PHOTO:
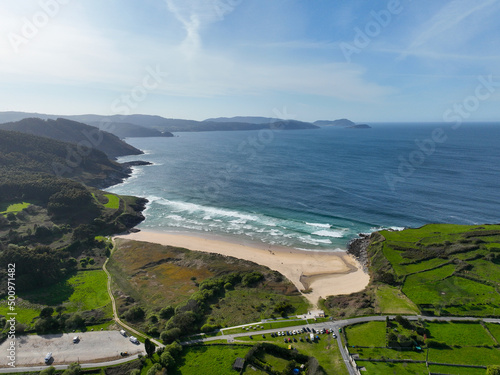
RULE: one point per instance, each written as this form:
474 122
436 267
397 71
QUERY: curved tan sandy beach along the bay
326 273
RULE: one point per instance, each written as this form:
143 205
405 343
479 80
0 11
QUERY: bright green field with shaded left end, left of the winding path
86 290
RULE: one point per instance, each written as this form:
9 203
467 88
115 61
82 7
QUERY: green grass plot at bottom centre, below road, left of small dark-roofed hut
210 360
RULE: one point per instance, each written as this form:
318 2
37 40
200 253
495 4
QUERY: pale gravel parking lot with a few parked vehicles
90 347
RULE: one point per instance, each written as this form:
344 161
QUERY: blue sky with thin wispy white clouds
369 61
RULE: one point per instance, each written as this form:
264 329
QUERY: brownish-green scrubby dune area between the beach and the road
173 292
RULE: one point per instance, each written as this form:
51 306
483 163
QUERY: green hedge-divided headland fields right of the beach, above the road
444 269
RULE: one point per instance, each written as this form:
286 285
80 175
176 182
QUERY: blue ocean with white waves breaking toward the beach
317 189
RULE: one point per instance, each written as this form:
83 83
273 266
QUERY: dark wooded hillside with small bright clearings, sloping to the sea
49 220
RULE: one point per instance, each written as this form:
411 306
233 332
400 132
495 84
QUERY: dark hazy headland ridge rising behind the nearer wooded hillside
85 136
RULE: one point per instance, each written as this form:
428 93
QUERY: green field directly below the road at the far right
461 334
